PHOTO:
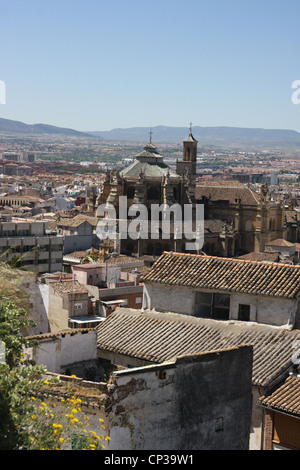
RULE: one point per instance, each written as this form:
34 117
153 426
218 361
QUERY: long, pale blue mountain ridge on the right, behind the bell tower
216 136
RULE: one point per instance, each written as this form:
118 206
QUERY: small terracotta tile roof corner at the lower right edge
285 398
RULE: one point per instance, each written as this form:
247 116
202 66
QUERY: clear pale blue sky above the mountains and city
97 65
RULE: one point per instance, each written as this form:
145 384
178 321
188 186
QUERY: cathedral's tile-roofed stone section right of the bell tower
252 217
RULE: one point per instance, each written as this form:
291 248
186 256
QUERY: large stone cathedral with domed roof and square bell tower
238 219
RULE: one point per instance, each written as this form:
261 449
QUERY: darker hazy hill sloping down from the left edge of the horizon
16 127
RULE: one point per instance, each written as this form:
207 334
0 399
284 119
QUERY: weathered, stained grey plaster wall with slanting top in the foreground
197 402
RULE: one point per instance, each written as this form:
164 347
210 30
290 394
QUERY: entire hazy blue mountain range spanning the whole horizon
233 137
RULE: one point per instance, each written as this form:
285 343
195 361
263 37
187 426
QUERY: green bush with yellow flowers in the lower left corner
26 421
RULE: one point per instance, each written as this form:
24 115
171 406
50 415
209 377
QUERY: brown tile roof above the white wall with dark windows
225 274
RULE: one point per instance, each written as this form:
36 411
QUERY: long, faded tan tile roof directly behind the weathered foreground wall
158 337
